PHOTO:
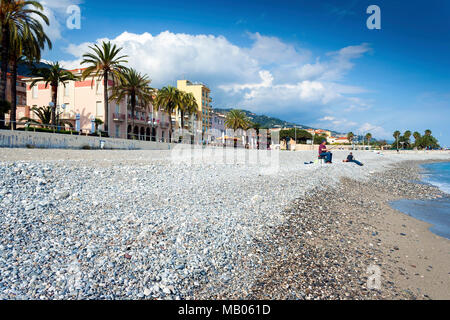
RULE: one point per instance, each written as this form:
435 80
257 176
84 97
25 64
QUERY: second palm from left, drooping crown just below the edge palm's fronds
25 48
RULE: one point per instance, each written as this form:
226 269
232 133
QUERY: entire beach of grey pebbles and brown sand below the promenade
104 224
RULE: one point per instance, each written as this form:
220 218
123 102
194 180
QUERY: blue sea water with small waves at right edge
437 211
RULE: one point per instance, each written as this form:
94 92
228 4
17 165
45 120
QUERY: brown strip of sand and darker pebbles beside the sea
332 263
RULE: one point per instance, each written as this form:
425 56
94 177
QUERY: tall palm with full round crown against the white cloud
104 62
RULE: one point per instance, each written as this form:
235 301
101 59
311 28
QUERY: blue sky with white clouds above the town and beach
311 62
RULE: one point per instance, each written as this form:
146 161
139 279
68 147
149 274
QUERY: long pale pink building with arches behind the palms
80 102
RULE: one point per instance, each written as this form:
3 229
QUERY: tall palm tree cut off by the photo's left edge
17 19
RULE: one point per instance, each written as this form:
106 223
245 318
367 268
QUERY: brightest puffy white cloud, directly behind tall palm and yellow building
167 57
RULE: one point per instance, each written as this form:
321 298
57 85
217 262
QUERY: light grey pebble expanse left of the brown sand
122 228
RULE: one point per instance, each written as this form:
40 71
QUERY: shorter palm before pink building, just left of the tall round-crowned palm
53 76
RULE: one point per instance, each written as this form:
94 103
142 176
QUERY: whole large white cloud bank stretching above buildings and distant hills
269 75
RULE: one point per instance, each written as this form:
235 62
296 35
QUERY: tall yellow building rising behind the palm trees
202 95
